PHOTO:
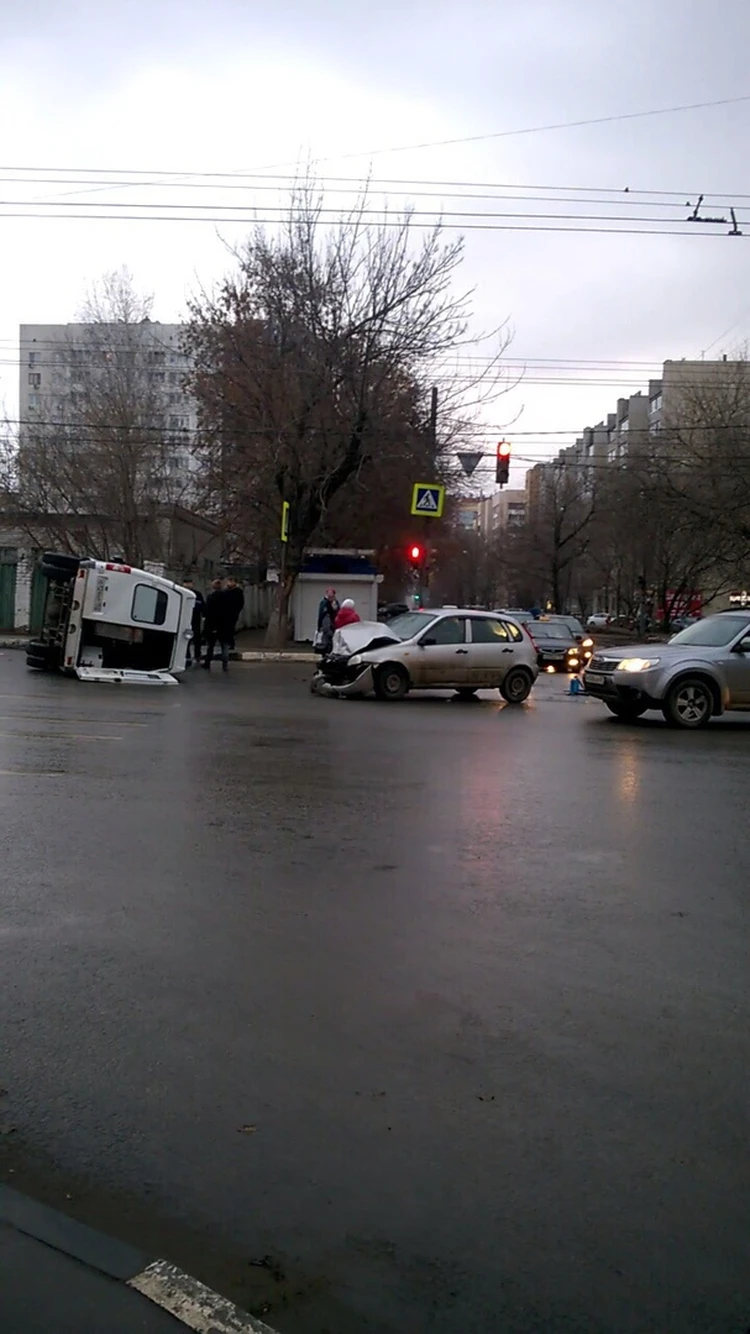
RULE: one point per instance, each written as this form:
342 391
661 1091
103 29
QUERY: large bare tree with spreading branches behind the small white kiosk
313 372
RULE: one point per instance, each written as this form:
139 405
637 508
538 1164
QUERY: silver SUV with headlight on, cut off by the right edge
699 674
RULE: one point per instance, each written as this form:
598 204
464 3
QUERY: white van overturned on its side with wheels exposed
111 622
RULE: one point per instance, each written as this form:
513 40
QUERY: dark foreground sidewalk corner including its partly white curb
58 1275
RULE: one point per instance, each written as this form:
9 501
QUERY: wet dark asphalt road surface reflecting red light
473 980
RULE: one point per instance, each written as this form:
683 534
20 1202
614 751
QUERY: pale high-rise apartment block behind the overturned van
65 368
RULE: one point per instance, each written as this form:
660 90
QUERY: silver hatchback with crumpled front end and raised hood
449 649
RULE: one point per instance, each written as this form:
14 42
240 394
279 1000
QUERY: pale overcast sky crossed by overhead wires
236 86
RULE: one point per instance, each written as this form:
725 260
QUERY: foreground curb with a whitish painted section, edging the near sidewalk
189 1301
